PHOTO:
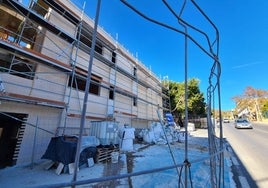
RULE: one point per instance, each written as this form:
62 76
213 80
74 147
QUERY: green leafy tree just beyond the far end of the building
196 101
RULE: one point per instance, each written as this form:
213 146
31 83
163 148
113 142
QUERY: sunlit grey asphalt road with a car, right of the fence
251 147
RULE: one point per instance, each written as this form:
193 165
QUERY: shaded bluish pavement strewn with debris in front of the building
142 159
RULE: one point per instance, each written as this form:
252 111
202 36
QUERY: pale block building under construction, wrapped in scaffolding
45 52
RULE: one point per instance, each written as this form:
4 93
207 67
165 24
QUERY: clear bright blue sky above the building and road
242 25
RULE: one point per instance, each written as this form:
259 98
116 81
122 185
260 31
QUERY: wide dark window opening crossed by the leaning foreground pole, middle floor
79 83
